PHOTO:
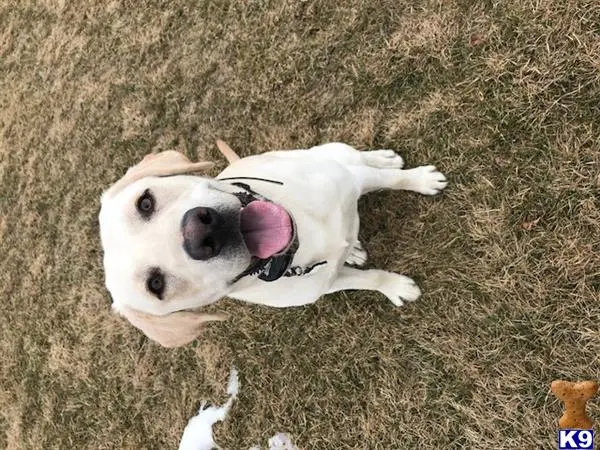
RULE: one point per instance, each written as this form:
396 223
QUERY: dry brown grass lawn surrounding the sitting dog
502 96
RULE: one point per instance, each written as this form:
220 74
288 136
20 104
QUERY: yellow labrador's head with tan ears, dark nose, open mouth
174 241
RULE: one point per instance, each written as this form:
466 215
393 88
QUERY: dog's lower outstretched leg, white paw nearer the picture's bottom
398 288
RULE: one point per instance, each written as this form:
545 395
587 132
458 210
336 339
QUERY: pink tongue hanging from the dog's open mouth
266 227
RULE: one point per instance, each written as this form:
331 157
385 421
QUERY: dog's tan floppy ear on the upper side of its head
161 164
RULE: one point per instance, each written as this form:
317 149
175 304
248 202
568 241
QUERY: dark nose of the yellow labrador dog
200 229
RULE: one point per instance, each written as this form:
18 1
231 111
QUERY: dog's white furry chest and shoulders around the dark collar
323 204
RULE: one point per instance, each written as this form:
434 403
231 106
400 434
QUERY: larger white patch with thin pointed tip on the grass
198 433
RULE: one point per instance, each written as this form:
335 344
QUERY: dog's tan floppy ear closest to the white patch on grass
173 330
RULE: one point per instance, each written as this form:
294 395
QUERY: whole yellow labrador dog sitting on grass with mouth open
278 229
